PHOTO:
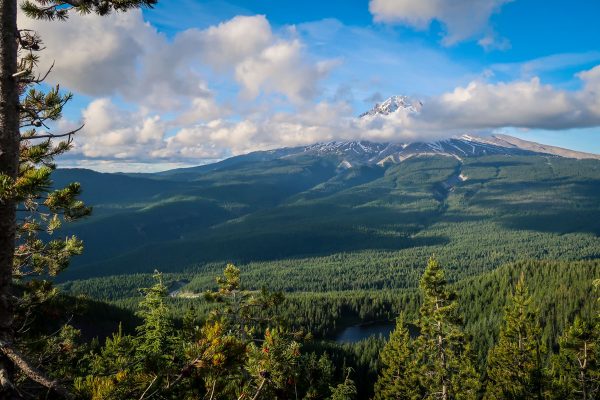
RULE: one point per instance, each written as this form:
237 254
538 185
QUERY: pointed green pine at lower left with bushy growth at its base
147 364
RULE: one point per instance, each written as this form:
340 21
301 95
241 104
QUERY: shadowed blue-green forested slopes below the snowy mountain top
309 211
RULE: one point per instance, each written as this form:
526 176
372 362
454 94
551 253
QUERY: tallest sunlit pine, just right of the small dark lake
445 365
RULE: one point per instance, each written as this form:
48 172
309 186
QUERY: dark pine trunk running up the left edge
9 156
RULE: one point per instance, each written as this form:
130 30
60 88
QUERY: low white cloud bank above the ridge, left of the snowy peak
111 133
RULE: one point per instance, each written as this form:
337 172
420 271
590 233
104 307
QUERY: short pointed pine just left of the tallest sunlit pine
398 378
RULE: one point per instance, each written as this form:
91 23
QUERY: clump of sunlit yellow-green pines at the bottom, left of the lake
238 352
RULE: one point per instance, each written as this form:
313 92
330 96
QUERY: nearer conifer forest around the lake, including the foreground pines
532 324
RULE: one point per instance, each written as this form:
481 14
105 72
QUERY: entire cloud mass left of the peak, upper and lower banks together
155 76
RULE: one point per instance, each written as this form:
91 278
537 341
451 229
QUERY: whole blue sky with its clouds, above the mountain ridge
193 81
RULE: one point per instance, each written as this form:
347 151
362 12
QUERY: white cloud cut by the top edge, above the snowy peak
463 19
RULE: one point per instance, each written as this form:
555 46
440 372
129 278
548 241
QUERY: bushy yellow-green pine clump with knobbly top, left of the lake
240 353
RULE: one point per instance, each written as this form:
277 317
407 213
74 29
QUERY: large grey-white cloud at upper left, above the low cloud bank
127 56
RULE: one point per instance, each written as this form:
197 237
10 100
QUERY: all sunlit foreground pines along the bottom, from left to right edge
241 348
